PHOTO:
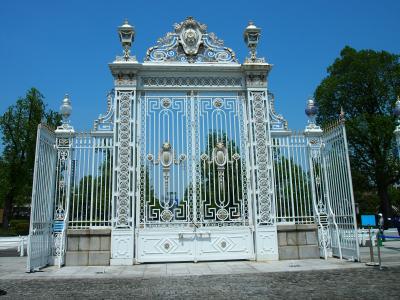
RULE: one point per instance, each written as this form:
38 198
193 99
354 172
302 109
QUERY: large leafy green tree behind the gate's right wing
365 83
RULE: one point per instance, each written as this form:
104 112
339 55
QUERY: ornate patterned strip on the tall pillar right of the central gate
264 170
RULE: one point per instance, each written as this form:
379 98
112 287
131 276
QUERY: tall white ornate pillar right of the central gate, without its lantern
266 240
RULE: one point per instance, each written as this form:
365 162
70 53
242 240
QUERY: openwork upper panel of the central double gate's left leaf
166 187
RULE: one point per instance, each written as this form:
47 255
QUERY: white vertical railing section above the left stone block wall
90 180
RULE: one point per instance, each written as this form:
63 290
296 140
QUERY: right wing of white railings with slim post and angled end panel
313 185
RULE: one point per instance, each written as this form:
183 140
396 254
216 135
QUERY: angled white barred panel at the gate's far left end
43 188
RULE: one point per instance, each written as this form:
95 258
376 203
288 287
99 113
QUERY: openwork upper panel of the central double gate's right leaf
221 162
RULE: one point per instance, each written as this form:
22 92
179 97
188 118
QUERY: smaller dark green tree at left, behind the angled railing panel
18 126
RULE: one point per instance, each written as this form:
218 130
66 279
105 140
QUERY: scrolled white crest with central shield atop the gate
190 43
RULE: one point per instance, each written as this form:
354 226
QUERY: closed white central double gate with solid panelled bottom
193 179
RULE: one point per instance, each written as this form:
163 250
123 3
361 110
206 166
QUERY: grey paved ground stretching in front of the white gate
314 278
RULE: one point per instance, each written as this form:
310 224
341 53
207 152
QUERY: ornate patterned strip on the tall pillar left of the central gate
124 157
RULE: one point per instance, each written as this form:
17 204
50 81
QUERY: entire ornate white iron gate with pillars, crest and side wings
190 163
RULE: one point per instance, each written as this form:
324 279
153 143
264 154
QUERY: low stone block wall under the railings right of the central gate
298 241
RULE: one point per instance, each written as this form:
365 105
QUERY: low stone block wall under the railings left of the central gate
88 247
